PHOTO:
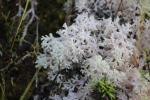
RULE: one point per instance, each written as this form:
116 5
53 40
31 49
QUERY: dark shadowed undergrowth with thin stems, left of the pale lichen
18 53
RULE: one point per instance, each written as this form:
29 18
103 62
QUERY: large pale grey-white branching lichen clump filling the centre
99 47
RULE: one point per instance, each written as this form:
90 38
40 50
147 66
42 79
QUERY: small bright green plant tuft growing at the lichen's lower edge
106 89
